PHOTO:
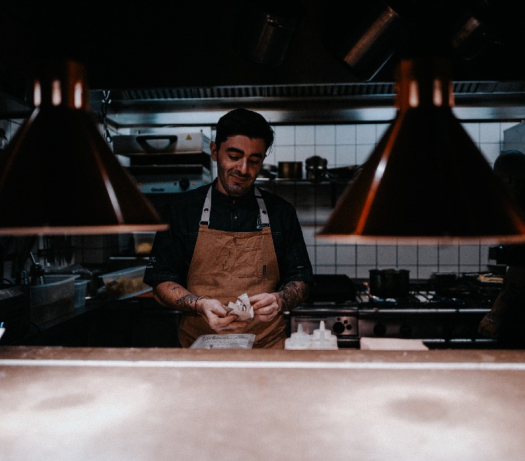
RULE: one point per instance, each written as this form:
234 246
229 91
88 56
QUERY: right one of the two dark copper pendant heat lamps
426 181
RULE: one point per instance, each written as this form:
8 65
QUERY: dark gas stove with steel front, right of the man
441 315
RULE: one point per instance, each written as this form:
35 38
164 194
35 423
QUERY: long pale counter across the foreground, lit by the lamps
170 404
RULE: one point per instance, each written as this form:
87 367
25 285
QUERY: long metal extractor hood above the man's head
299 104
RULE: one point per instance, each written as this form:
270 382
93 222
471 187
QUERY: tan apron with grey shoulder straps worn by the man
227 264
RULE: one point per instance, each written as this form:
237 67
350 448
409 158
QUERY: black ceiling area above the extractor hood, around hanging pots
196 43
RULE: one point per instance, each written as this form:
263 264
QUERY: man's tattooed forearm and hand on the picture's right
268 305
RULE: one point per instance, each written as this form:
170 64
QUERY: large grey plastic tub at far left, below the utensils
52 299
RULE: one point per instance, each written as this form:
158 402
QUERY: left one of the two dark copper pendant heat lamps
59 176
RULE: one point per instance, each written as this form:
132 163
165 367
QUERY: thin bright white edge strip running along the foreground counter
509 366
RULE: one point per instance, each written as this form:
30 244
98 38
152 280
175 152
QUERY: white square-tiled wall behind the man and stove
344 145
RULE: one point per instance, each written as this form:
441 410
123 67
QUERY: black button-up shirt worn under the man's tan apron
172 250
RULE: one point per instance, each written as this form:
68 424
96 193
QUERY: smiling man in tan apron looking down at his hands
231 238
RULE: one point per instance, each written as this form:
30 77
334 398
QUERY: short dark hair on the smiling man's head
244 122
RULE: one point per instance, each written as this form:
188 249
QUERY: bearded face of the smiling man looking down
239 161
